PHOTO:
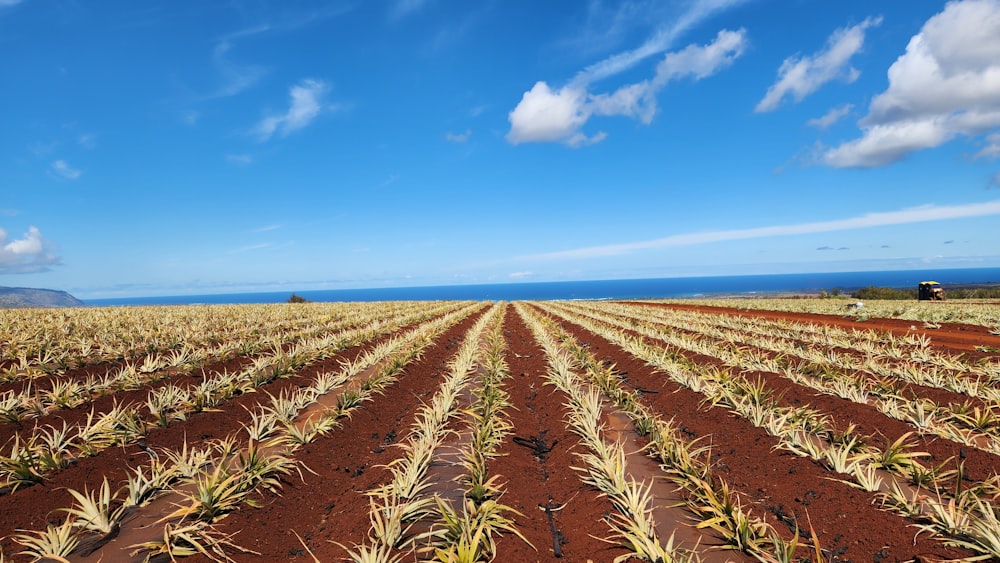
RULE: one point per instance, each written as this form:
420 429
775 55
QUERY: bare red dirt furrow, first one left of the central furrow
328 504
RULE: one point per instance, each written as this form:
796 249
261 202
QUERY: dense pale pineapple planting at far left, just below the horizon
36 342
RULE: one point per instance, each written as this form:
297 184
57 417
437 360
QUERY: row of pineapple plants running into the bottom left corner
205 483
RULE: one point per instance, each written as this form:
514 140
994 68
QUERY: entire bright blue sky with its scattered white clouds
186 147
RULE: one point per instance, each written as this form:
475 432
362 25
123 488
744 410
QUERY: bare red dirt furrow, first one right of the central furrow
780 485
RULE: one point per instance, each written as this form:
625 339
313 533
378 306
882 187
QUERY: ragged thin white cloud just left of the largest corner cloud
799 77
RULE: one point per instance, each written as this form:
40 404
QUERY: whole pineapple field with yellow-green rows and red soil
726 430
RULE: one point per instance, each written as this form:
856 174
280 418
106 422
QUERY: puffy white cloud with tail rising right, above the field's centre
547 115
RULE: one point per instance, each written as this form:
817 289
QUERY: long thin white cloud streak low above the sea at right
905 216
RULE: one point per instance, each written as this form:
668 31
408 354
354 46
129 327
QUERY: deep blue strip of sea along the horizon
598 289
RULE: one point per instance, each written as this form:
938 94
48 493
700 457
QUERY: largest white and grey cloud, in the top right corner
946 85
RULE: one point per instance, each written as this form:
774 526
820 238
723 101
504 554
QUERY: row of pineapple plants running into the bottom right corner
959 513
